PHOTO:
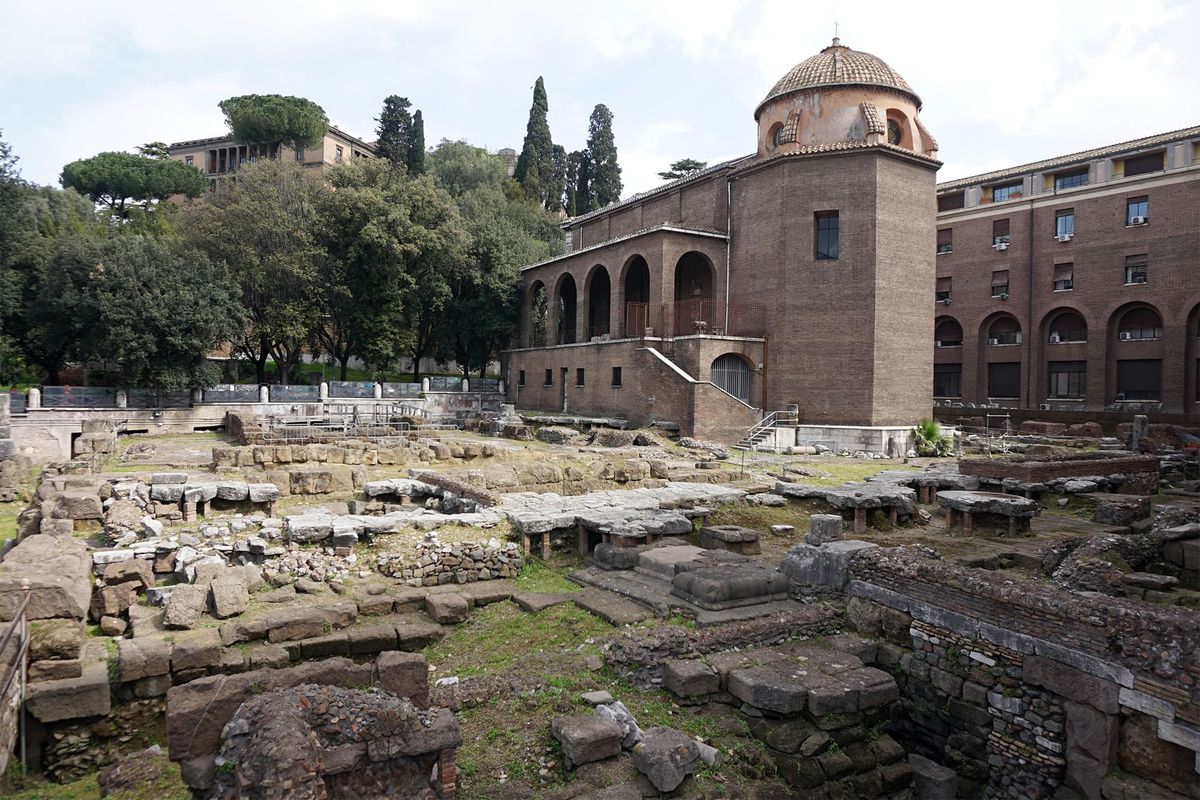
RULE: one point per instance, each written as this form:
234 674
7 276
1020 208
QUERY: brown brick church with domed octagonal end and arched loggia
796 276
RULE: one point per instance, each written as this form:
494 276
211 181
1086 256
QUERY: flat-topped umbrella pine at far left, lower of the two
121 181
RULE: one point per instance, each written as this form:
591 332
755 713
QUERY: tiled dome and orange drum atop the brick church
841 97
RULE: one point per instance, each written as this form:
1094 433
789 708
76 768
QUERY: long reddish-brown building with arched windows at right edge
1072 284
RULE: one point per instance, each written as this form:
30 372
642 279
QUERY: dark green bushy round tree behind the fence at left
159 310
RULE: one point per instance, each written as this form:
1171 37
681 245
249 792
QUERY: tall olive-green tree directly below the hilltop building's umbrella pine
262 227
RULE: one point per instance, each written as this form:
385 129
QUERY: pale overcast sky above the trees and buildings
1003 83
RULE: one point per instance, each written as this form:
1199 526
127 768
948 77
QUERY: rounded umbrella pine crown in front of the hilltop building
275 121
